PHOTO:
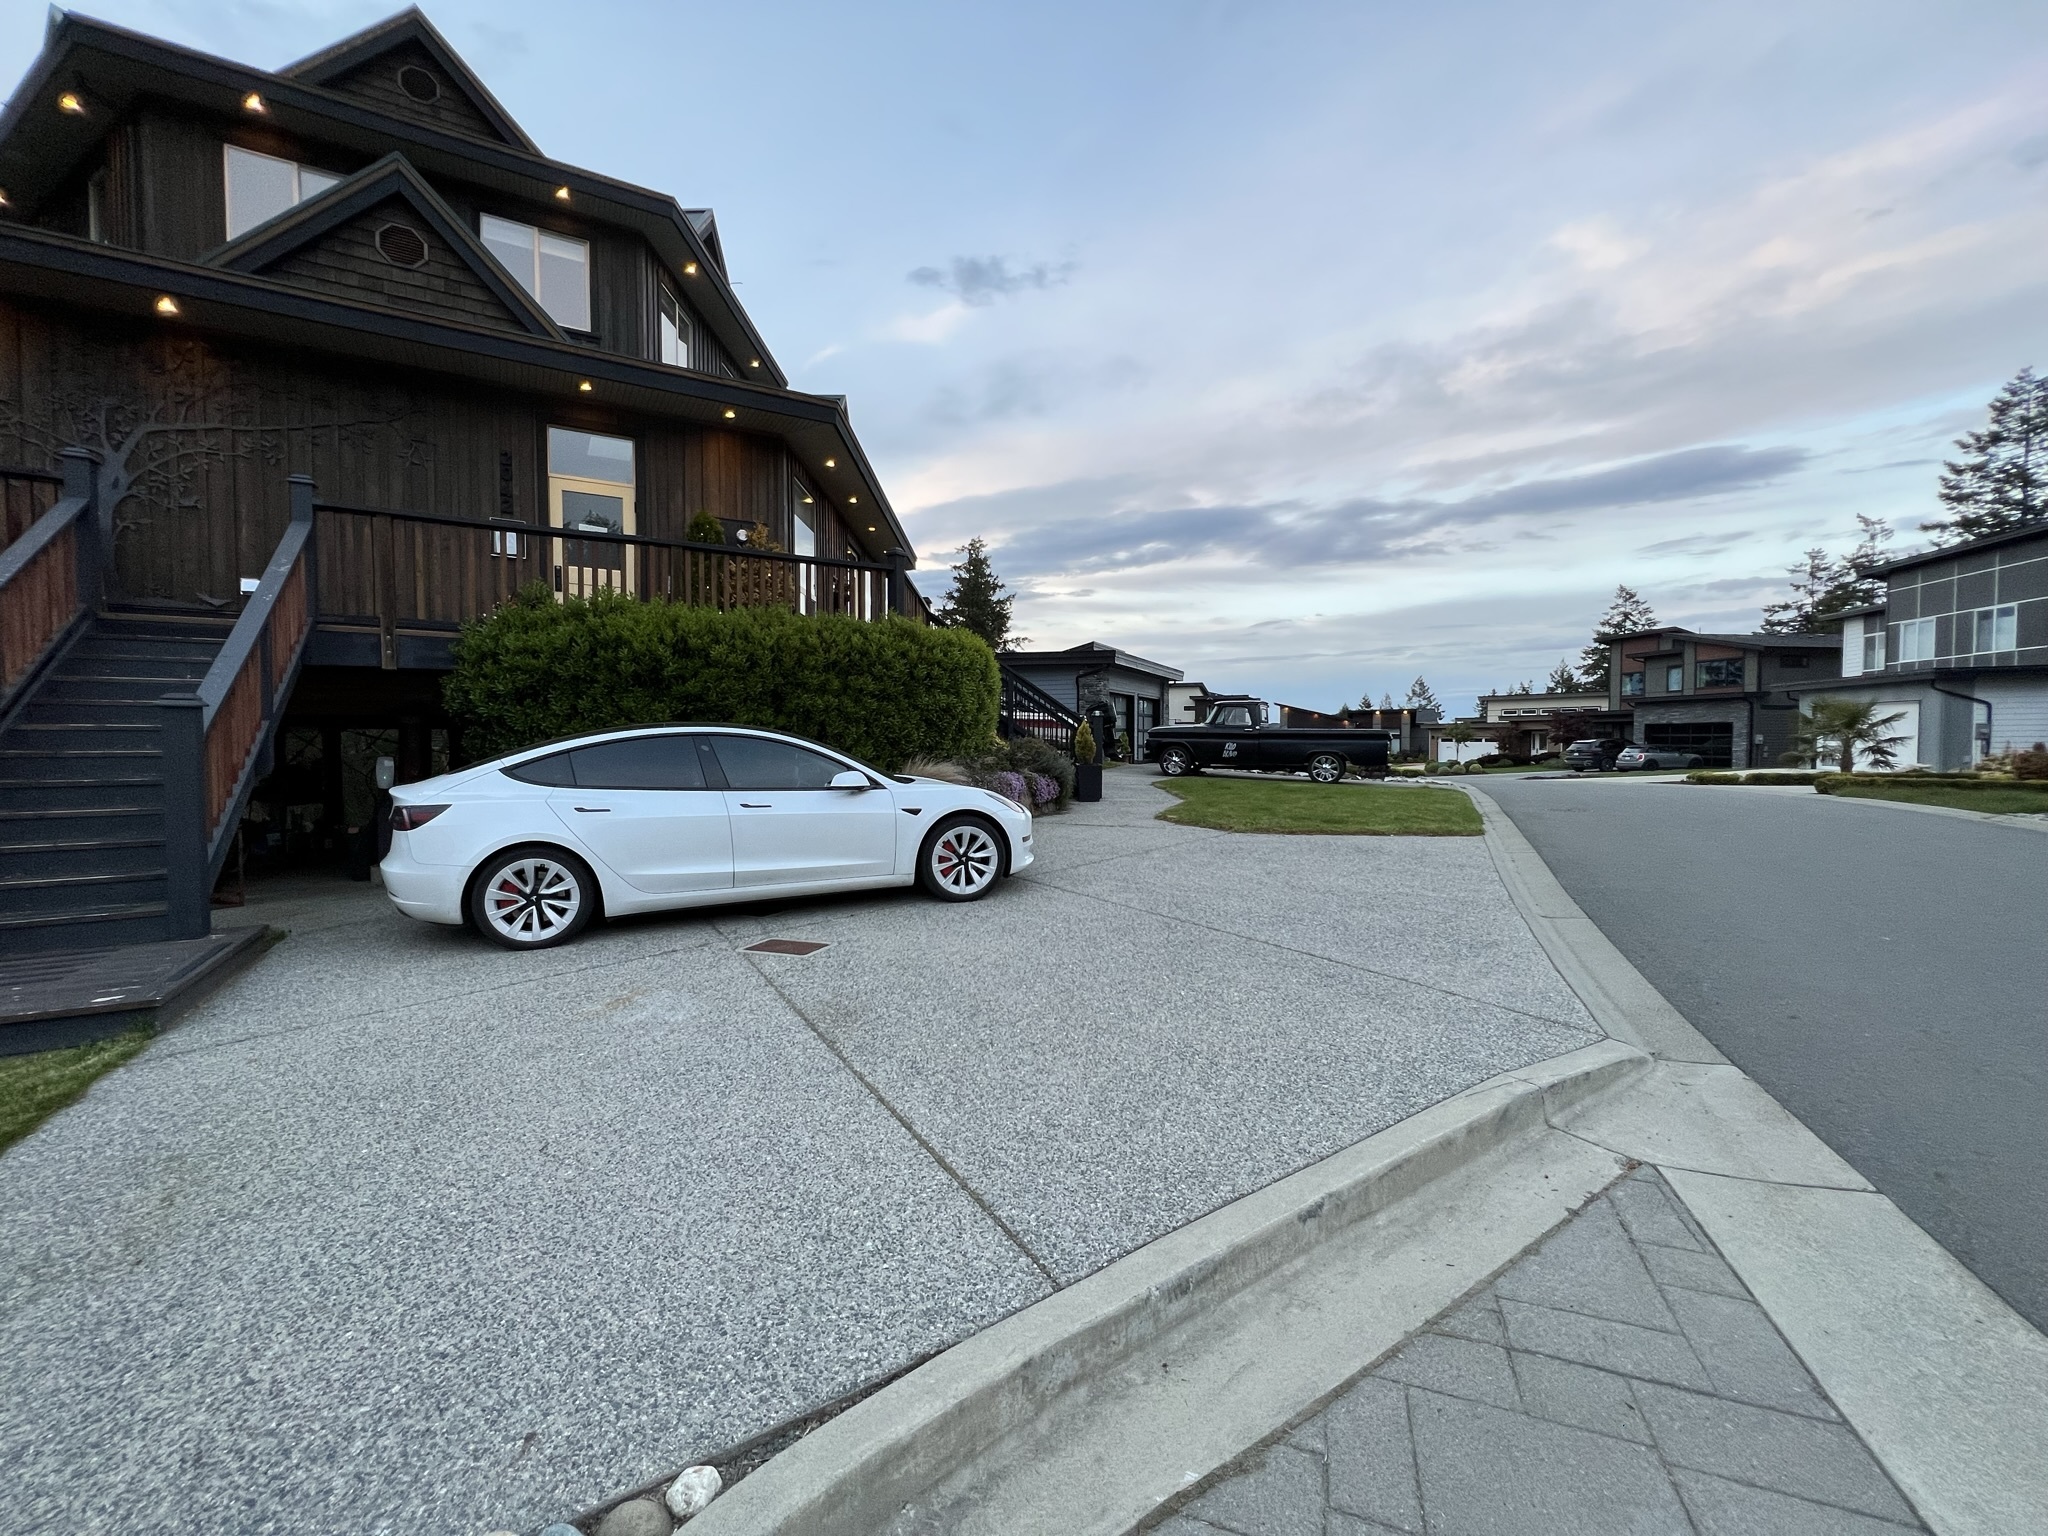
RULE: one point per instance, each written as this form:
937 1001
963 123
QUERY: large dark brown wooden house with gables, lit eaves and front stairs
298 372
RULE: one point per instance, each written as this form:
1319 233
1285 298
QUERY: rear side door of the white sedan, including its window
648 808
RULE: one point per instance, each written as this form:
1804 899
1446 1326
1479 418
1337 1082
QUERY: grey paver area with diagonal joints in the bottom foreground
1617 1379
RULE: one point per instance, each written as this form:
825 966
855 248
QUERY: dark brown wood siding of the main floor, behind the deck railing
212 437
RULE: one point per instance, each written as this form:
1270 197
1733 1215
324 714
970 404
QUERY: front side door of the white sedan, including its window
792 828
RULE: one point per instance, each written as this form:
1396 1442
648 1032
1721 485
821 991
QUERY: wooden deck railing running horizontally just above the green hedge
396 568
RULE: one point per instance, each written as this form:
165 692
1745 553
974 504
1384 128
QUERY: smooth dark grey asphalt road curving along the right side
1881 972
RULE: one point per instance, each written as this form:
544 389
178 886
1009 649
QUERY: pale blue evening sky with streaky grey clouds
1320 347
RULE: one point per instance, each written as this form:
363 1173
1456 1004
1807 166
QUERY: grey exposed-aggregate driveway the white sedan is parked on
402 1234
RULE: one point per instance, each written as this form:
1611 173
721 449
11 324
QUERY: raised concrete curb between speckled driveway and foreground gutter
861 1471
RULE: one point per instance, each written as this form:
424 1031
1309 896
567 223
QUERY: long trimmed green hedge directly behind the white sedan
880 691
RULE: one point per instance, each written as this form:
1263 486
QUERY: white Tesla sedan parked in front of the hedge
531 847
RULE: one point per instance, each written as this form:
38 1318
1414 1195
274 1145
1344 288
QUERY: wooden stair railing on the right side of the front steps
218 740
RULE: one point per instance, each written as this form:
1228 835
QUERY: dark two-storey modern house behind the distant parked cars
1727 697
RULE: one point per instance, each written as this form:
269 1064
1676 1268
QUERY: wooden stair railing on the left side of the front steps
50 579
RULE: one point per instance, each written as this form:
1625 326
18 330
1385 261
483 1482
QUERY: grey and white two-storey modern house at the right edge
1959 650
